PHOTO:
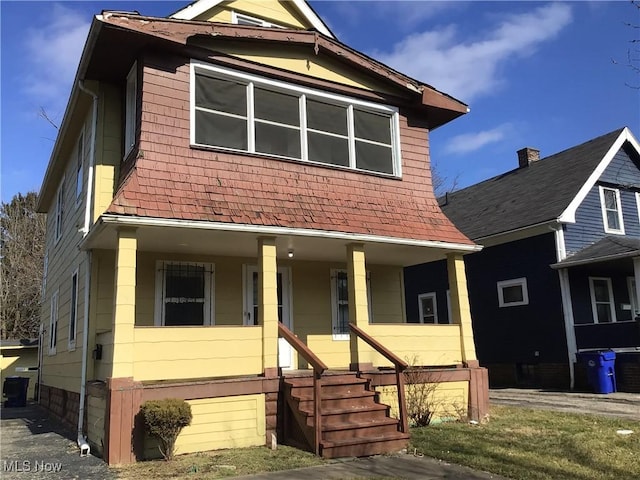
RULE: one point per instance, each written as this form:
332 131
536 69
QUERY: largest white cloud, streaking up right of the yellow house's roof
468 69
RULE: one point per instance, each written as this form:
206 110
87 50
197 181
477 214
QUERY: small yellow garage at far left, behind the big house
19 358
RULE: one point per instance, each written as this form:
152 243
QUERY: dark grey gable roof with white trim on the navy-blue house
547 190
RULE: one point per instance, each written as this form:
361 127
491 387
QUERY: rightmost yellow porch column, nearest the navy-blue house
460 310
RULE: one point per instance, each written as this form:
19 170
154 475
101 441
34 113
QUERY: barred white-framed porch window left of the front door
184 294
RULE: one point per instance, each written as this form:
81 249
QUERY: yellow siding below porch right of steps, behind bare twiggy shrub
449 400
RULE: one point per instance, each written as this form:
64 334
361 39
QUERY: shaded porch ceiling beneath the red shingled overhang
314 247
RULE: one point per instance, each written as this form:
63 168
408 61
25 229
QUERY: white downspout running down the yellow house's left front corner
83 444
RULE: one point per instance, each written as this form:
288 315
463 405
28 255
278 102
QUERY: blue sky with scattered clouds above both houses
534 74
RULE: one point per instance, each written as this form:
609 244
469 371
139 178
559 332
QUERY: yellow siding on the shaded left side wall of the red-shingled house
62 369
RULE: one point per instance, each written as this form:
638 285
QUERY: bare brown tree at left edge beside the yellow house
22 245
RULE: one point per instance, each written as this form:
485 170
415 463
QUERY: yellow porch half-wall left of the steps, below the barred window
163 353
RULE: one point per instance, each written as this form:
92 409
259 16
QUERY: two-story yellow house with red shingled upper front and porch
231 201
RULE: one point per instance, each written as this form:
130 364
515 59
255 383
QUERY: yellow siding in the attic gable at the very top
279 13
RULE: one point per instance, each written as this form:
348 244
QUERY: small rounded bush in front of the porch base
165 419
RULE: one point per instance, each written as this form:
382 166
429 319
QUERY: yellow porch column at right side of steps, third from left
357 294
